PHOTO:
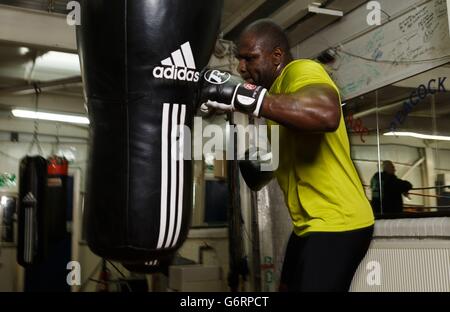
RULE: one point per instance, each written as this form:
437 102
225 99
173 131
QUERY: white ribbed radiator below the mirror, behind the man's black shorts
405 265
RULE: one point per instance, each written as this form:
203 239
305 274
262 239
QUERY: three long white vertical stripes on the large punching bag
171 201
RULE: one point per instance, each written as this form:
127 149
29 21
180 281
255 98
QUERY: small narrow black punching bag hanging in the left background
32 225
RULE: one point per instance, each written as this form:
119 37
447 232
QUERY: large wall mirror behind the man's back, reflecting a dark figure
400 142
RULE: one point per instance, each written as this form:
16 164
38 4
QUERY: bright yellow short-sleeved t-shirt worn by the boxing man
321 186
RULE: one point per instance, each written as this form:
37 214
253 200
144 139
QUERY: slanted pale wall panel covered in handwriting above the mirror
402 47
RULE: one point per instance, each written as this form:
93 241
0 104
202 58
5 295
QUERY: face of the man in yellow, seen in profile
256 63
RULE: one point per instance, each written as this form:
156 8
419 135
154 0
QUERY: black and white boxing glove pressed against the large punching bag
222 91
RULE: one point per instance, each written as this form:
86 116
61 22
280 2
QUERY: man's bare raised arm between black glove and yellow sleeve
313 108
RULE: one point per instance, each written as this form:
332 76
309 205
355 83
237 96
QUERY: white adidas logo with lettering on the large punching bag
179 66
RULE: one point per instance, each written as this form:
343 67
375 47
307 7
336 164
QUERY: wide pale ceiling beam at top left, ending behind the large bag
25 27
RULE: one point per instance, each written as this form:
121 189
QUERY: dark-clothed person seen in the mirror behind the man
392 188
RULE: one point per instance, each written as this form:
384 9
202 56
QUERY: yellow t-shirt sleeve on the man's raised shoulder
304 73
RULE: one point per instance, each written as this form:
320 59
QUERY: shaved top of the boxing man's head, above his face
270 33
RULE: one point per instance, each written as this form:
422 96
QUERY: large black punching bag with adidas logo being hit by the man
140 64
